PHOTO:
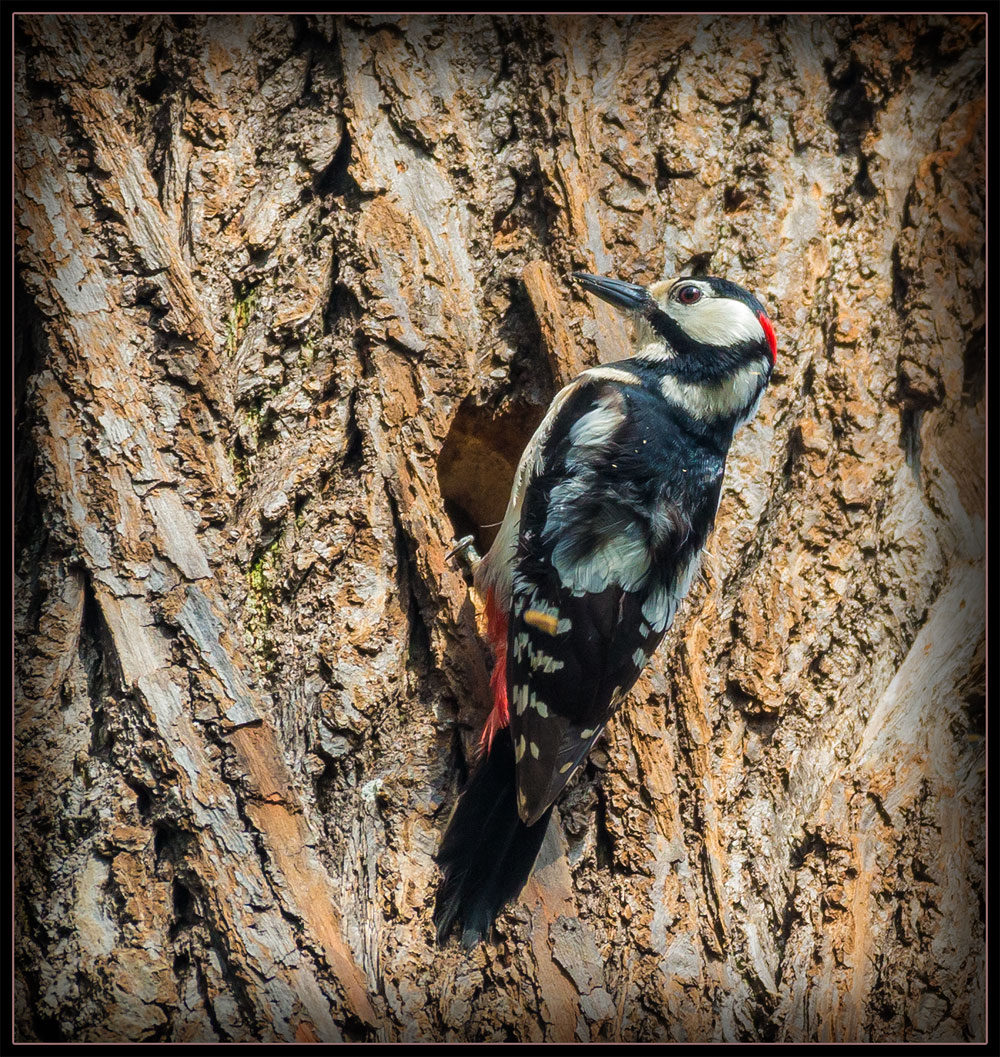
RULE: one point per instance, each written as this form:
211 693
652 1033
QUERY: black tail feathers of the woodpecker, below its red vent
488 854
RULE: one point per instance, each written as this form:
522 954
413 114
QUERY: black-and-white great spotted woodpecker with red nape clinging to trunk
613 503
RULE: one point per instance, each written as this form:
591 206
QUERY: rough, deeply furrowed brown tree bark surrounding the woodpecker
292 298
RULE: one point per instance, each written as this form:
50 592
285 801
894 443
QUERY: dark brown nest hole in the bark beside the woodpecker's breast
477 466
